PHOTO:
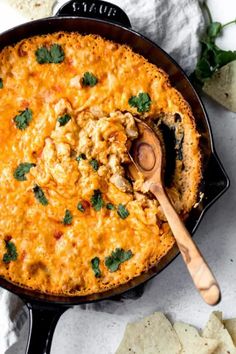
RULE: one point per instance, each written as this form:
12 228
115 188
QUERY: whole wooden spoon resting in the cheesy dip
146 154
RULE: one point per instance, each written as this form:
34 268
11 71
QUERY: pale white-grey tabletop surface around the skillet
172 292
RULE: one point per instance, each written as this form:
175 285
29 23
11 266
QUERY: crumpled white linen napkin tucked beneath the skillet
175 25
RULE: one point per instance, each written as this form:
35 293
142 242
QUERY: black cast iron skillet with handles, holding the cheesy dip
109 21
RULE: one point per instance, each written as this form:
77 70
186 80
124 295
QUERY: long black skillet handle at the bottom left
43 320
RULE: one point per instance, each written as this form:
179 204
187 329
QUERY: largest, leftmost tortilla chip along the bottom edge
152 335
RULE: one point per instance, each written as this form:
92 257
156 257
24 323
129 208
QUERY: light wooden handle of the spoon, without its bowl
199 270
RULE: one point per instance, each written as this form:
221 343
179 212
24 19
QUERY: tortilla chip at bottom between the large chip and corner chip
192 342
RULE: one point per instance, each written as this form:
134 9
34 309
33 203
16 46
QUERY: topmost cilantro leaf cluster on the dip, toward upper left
53 55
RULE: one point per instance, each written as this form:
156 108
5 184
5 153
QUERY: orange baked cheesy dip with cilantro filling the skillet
72 221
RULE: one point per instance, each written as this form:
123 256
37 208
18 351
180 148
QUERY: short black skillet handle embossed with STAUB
101 10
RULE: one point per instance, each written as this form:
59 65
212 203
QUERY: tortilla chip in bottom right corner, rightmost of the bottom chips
216 330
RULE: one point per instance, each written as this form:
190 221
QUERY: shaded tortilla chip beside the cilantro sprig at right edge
222 86
